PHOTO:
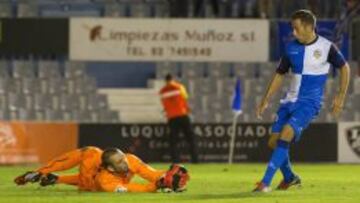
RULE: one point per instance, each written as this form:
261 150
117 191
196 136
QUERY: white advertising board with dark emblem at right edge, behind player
349 142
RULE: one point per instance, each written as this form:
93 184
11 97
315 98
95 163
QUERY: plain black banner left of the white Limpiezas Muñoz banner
34 36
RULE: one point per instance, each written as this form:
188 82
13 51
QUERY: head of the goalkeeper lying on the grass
114 160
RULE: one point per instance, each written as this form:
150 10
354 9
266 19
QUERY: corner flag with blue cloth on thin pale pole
236 107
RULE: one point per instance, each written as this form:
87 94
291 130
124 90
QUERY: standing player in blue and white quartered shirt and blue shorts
308 59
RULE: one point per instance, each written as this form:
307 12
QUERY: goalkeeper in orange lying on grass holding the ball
110 170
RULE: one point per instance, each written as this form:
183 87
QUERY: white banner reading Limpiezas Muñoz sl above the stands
120 39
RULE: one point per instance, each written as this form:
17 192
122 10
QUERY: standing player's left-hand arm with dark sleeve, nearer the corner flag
274 85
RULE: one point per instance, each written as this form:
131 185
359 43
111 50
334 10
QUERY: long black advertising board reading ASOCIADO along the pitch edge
150 141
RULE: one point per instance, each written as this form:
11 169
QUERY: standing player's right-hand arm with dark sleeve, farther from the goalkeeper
337 60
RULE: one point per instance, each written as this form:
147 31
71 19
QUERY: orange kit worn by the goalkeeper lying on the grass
92 177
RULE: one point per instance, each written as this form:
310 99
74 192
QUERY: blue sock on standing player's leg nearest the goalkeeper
279 156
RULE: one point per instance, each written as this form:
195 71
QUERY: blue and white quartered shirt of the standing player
309 65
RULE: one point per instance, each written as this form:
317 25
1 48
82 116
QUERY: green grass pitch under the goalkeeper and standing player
217 183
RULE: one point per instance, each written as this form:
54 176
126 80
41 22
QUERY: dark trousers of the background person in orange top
177 126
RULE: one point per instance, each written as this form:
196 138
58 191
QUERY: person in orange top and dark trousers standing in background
174 100
